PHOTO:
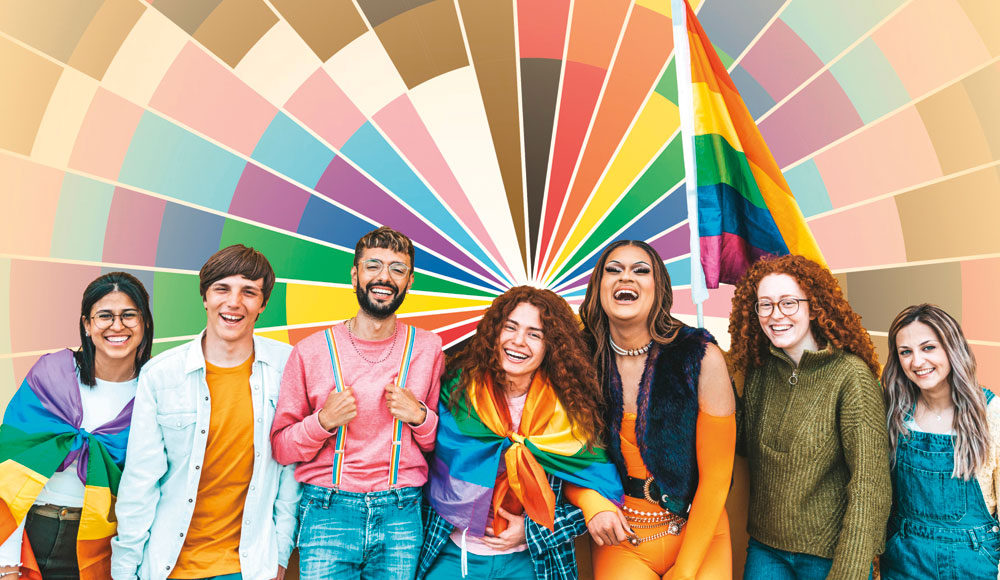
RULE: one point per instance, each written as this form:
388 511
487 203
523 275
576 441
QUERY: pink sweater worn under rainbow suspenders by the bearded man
296 435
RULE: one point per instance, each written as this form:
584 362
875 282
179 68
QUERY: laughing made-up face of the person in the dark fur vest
628 288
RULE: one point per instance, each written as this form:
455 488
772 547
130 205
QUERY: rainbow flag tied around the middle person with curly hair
472 440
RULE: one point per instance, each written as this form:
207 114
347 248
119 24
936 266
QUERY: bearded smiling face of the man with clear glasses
380 290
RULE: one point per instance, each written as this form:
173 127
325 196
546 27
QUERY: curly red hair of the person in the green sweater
833 320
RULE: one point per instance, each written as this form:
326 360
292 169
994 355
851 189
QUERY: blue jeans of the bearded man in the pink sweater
345 535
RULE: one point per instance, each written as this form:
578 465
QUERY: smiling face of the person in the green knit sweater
791 333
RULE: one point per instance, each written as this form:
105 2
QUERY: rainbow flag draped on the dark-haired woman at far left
40 435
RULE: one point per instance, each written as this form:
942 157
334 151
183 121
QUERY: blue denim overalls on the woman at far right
940 527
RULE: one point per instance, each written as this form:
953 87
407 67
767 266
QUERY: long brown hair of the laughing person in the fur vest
662 326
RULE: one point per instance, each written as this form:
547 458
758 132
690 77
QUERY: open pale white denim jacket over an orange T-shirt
166 447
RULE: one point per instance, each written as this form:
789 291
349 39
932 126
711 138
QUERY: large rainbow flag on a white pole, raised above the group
740 207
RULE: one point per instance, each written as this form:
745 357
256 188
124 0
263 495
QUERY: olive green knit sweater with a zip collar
819 458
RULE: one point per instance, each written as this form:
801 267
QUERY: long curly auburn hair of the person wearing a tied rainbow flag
565 363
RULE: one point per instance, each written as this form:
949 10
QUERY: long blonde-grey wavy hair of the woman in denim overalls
969 423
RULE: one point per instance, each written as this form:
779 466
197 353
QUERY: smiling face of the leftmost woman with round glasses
116 342
